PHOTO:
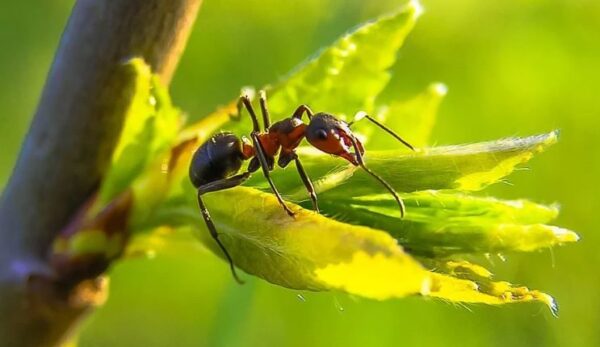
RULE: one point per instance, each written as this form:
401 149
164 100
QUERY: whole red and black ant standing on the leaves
216 163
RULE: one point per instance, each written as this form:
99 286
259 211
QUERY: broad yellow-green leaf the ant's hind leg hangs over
293 253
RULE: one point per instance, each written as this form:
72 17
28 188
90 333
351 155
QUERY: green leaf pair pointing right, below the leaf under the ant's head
440 224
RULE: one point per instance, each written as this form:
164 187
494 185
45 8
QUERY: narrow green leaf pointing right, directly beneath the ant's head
463 167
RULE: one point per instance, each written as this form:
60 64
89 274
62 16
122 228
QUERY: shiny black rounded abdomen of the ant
219 157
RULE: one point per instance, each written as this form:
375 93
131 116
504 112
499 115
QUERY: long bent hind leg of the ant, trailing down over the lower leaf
212 187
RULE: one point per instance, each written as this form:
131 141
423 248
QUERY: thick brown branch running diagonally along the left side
68 149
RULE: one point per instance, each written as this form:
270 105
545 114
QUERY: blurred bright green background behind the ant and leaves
513 67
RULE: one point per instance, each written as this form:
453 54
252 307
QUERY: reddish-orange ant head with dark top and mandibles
333 136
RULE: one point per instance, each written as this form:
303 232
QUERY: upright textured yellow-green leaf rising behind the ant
348 75
